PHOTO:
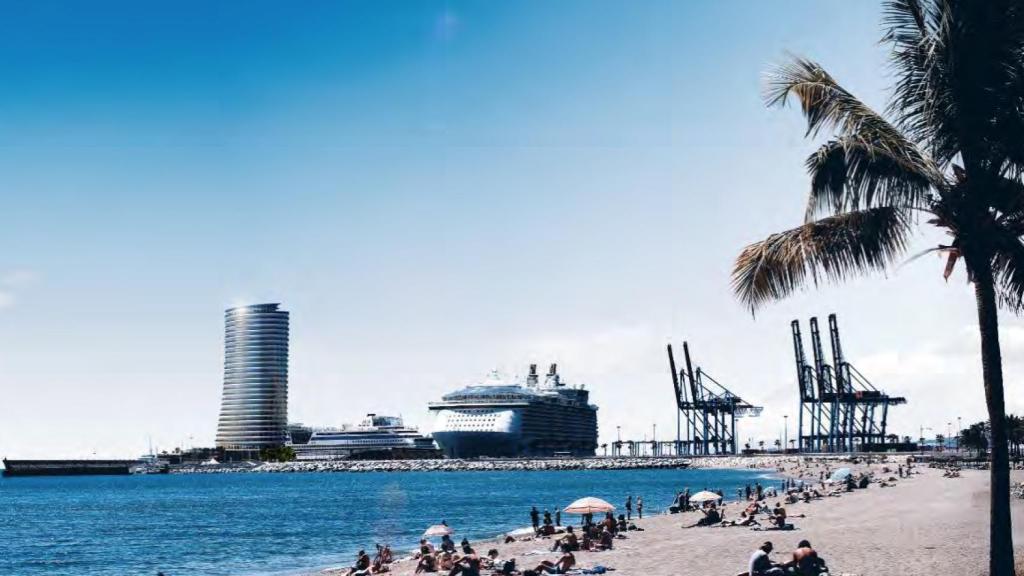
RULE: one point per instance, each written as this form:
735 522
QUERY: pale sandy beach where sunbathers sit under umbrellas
925 525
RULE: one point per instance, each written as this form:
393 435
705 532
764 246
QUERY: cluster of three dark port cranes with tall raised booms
840 409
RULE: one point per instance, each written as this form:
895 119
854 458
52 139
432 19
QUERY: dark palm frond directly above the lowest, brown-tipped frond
852 174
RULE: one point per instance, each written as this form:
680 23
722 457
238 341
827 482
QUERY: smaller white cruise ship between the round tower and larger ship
377 437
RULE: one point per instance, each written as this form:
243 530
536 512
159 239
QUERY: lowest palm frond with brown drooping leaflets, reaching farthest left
832 249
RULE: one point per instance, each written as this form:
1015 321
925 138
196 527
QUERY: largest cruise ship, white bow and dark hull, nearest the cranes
499 419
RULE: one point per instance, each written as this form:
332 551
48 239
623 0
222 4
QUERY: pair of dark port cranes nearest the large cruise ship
709 409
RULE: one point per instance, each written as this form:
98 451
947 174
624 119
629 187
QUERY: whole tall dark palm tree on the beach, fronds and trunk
947 152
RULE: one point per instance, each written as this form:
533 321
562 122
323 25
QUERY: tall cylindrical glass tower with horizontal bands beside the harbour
254 405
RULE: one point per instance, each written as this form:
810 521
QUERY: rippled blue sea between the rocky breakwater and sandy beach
287 523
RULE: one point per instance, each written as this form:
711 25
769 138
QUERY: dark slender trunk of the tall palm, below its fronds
1001 540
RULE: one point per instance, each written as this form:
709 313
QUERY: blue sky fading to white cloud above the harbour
434 190
